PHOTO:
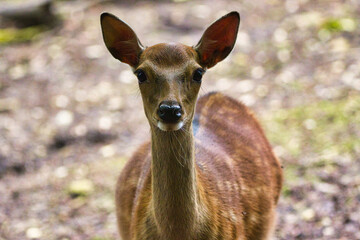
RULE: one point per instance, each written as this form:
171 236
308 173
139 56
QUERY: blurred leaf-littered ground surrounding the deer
71 115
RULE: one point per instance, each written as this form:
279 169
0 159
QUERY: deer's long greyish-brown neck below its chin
174 187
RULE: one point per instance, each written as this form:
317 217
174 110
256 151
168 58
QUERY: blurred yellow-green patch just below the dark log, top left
13 35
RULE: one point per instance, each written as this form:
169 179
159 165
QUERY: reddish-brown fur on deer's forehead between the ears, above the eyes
168 54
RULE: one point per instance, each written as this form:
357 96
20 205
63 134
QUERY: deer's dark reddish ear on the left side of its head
120 39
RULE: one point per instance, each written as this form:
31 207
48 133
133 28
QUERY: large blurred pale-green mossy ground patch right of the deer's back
326 128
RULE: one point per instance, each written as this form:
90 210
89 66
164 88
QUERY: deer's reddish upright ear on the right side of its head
218 40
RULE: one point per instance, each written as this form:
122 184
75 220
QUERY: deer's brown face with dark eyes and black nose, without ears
169 79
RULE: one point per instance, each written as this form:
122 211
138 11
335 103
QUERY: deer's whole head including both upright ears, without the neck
170 75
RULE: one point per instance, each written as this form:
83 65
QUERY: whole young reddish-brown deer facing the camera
208 171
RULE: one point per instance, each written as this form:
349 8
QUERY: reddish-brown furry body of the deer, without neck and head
238 177
